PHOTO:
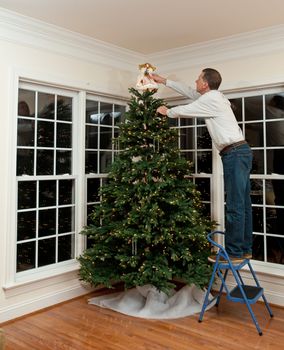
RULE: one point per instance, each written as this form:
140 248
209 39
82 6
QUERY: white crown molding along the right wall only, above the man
250 44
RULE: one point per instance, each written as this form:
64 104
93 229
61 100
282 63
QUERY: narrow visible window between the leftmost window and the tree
102 119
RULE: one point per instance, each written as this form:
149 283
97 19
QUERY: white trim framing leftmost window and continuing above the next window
80 93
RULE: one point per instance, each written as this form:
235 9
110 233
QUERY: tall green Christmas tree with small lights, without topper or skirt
148 228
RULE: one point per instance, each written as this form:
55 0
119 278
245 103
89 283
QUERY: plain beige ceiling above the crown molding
149 26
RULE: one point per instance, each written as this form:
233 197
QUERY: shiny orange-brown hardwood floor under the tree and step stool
77 325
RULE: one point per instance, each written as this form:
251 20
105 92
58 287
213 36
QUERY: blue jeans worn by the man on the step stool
237 165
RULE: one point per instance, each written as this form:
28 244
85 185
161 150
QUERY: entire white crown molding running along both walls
24 30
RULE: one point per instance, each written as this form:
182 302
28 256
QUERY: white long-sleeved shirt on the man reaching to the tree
215 108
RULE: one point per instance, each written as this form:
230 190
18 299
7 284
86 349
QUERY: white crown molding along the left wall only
28 31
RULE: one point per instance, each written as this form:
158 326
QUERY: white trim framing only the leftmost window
13 279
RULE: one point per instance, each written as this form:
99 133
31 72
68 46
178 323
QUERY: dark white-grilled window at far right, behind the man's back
261 116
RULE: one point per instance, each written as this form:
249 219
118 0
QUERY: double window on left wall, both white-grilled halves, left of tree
52 140
